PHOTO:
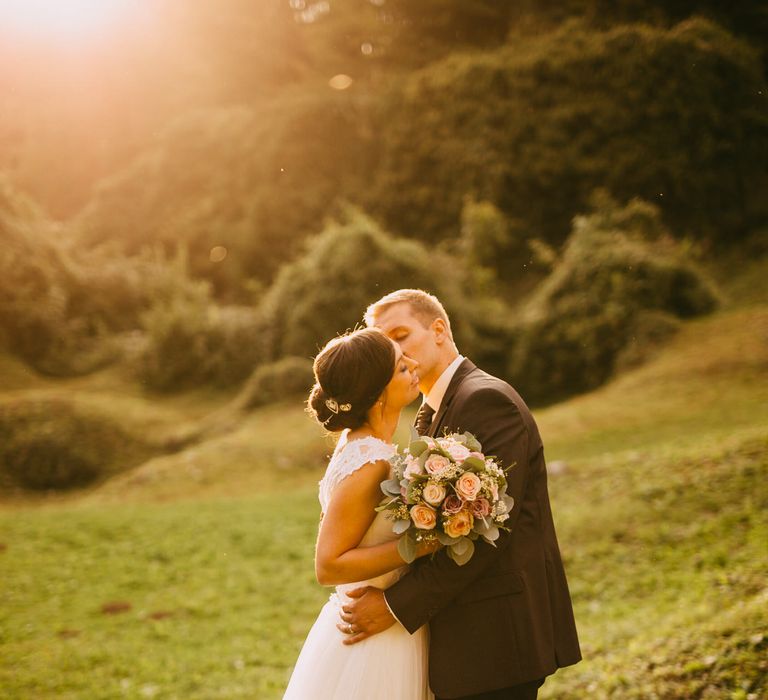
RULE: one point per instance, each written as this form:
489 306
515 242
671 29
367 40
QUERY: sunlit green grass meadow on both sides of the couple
191 576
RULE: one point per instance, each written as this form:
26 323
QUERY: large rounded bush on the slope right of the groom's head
620 277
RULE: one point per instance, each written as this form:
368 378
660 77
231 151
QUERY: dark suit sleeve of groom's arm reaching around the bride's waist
433 583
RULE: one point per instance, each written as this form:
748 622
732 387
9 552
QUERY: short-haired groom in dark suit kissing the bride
503 621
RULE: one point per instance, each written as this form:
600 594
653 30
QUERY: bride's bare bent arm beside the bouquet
339 558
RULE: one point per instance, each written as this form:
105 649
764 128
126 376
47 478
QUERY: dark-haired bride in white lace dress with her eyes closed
363 381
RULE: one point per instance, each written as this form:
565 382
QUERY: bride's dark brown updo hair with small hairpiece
351 372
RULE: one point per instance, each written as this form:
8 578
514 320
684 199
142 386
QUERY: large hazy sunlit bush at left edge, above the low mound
61 308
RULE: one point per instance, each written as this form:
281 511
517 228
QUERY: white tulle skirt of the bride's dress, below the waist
392 664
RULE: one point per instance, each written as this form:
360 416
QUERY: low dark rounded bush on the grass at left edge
55 444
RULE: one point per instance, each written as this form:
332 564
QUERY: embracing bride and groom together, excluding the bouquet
491 629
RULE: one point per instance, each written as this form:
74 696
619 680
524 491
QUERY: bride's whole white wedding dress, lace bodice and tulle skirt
392 664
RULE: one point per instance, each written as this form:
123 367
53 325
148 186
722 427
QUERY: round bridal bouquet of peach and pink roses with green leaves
446 489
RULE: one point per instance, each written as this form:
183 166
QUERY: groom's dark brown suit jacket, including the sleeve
505 617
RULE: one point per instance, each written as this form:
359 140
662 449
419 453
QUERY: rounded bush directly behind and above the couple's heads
345 268
